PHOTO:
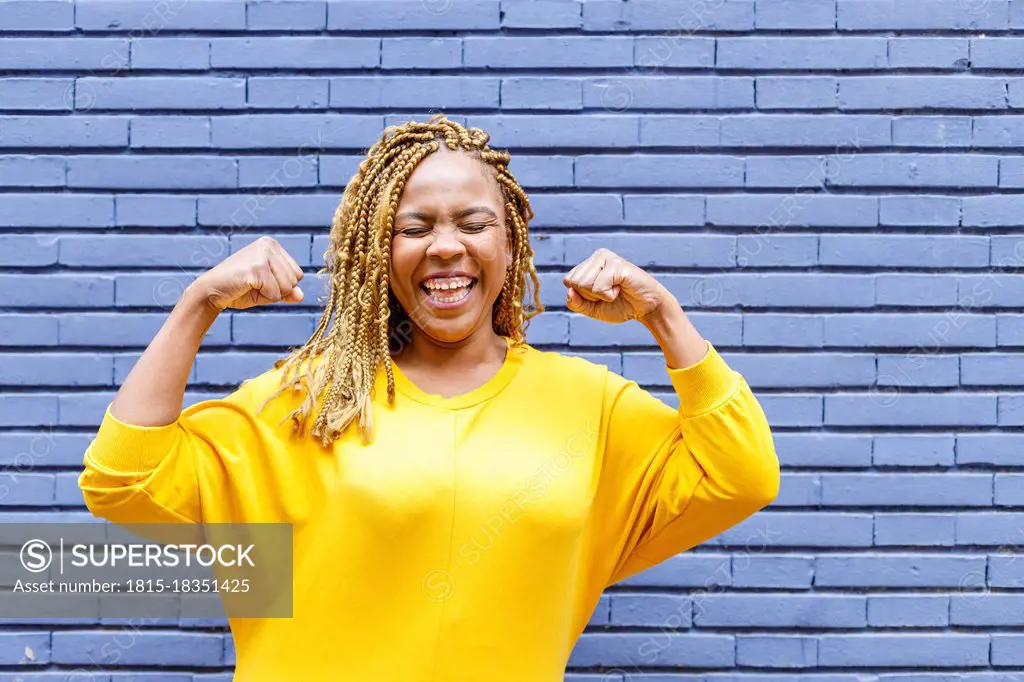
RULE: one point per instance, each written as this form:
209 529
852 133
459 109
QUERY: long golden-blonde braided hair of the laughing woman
358 261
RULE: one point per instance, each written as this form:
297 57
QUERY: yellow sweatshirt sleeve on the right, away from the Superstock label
674 479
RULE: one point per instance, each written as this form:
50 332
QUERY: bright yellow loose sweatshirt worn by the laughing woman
472 540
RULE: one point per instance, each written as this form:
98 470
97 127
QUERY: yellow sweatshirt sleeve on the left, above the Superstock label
204 467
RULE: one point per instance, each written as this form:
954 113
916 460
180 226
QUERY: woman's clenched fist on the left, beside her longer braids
260 274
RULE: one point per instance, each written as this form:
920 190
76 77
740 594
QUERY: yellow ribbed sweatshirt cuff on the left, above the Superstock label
123 448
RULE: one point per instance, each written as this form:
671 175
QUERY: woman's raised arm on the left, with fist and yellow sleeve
151 462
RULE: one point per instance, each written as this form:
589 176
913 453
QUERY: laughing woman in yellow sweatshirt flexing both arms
464 498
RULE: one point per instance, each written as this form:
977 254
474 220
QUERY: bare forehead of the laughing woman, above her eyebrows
452 176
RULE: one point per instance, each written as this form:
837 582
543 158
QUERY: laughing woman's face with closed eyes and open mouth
450 246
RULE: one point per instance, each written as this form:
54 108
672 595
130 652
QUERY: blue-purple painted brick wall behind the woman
831 188
